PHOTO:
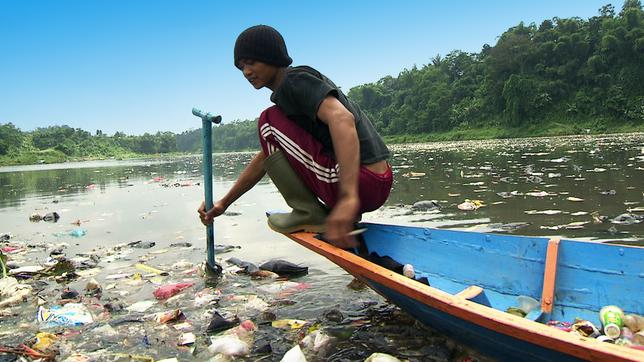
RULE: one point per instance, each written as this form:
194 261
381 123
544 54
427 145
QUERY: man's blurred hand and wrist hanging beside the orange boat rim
340 221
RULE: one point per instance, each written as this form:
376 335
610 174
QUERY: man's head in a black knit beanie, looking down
260 52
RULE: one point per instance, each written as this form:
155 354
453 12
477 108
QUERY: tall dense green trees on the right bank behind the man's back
563 69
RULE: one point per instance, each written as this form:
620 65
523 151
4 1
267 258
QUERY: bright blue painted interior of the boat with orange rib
547 279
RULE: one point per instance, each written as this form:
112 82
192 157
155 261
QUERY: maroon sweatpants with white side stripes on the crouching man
318 170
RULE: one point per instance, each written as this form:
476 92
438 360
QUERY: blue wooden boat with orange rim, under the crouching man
475 277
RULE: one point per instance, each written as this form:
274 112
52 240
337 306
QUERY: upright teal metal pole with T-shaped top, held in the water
207 120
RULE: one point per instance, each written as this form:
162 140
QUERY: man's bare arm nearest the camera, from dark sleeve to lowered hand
347 152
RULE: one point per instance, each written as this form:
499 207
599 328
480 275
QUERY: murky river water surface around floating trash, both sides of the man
573 187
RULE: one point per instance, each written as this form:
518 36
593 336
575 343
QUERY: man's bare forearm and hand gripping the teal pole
247 179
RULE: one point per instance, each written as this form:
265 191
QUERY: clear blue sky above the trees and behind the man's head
140 66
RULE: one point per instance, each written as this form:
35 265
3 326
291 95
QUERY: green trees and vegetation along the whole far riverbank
560 77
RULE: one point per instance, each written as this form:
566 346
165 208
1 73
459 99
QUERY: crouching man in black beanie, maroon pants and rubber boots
321 151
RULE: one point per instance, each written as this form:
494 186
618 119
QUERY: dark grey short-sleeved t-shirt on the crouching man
300 95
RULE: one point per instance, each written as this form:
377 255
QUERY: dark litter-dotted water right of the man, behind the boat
550 186
